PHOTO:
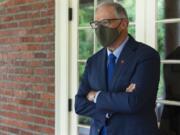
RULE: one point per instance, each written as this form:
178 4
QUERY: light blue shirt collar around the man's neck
118 50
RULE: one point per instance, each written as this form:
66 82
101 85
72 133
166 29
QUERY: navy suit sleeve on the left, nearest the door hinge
82 105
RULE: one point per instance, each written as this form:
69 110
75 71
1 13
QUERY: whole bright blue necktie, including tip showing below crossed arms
110 70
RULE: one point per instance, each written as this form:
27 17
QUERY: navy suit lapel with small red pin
122 62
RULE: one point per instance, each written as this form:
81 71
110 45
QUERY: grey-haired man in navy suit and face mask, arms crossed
120 82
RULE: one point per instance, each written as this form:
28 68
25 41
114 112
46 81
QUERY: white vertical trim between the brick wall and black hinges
61 67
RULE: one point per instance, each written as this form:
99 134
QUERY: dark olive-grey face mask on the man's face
106 36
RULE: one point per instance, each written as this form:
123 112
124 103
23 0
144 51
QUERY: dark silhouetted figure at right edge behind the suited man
170 120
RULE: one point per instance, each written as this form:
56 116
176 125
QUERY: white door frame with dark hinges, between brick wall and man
66 43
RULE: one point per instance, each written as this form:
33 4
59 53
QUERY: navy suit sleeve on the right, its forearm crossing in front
146 78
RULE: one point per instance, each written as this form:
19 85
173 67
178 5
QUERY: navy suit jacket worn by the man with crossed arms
132 113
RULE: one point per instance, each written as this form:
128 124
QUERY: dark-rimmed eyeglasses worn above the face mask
105 22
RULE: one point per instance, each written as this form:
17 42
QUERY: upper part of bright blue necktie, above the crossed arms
111 66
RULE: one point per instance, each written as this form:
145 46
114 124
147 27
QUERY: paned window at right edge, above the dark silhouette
168 31
